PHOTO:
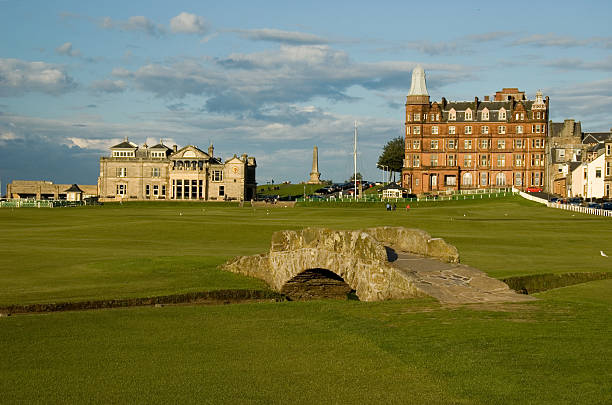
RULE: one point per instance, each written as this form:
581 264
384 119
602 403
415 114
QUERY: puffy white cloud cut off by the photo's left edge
18 77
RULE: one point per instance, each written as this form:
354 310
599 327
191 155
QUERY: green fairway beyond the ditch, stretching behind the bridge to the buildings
118 251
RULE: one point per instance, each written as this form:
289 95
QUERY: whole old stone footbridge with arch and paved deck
375 264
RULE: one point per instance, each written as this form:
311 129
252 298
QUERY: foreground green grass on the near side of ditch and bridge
550 351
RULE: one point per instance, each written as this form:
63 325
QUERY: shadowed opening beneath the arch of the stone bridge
317 284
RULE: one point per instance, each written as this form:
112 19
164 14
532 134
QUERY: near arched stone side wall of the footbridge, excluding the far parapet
355 256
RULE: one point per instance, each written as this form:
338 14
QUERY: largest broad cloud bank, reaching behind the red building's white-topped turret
258 84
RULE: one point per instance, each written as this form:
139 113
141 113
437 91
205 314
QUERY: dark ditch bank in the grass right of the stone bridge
542 282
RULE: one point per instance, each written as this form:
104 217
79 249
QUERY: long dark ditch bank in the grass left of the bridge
218 296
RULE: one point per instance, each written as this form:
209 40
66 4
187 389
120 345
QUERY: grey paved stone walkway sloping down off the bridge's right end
453 283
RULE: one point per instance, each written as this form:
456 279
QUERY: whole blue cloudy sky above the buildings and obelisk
273 79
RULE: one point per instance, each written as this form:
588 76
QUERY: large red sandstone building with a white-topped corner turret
451 146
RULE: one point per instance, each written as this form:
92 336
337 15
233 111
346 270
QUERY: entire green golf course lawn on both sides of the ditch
555 350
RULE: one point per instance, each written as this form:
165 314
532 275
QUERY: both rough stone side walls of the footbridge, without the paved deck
359 258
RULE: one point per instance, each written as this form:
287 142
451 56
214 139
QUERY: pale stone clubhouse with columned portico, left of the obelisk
139 173
